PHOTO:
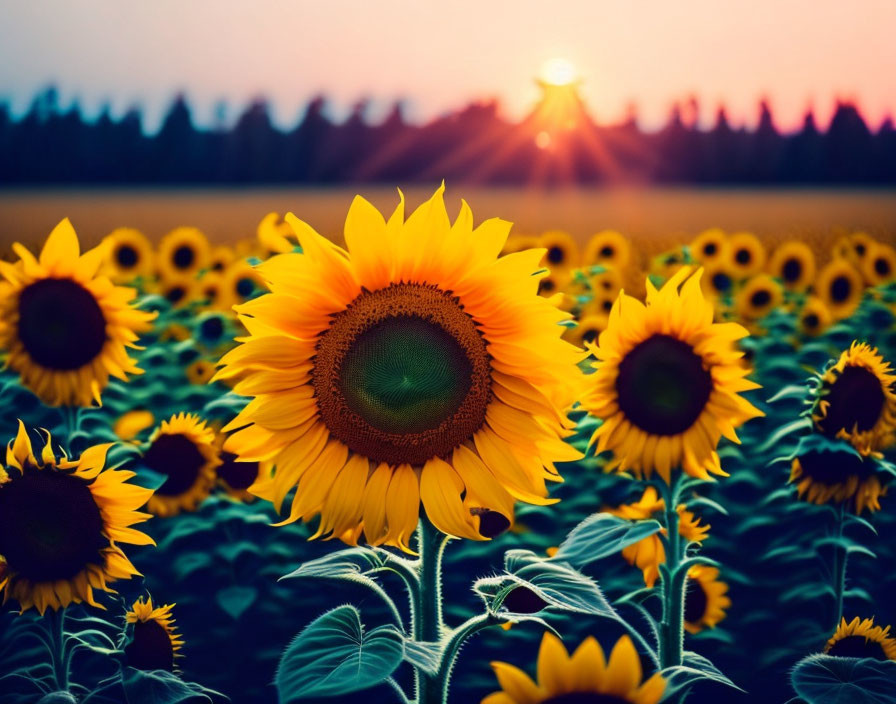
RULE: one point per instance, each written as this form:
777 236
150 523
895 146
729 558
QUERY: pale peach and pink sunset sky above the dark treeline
442 55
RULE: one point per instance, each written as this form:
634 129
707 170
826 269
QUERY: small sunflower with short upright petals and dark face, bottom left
152 643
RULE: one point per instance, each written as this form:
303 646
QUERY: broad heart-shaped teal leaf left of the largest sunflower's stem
333 656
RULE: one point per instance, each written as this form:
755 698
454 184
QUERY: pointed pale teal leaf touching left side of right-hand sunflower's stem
600 536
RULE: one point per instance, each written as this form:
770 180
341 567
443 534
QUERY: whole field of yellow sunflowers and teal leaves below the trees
447 463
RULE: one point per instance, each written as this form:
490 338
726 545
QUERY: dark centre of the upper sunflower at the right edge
856 401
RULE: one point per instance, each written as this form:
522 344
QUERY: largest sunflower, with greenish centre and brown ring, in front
415 366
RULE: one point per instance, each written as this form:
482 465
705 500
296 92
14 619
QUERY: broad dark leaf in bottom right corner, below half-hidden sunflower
823 679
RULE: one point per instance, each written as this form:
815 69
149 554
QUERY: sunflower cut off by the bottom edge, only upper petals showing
585 676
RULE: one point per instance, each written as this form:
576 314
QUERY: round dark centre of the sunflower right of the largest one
662 385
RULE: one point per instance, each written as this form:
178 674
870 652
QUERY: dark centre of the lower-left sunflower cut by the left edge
50 526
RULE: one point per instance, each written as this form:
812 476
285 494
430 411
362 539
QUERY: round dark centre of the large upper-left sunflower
61 325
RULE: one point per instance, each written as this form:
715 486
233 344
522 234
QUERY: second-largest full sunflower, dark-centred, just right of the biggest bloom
666 382
